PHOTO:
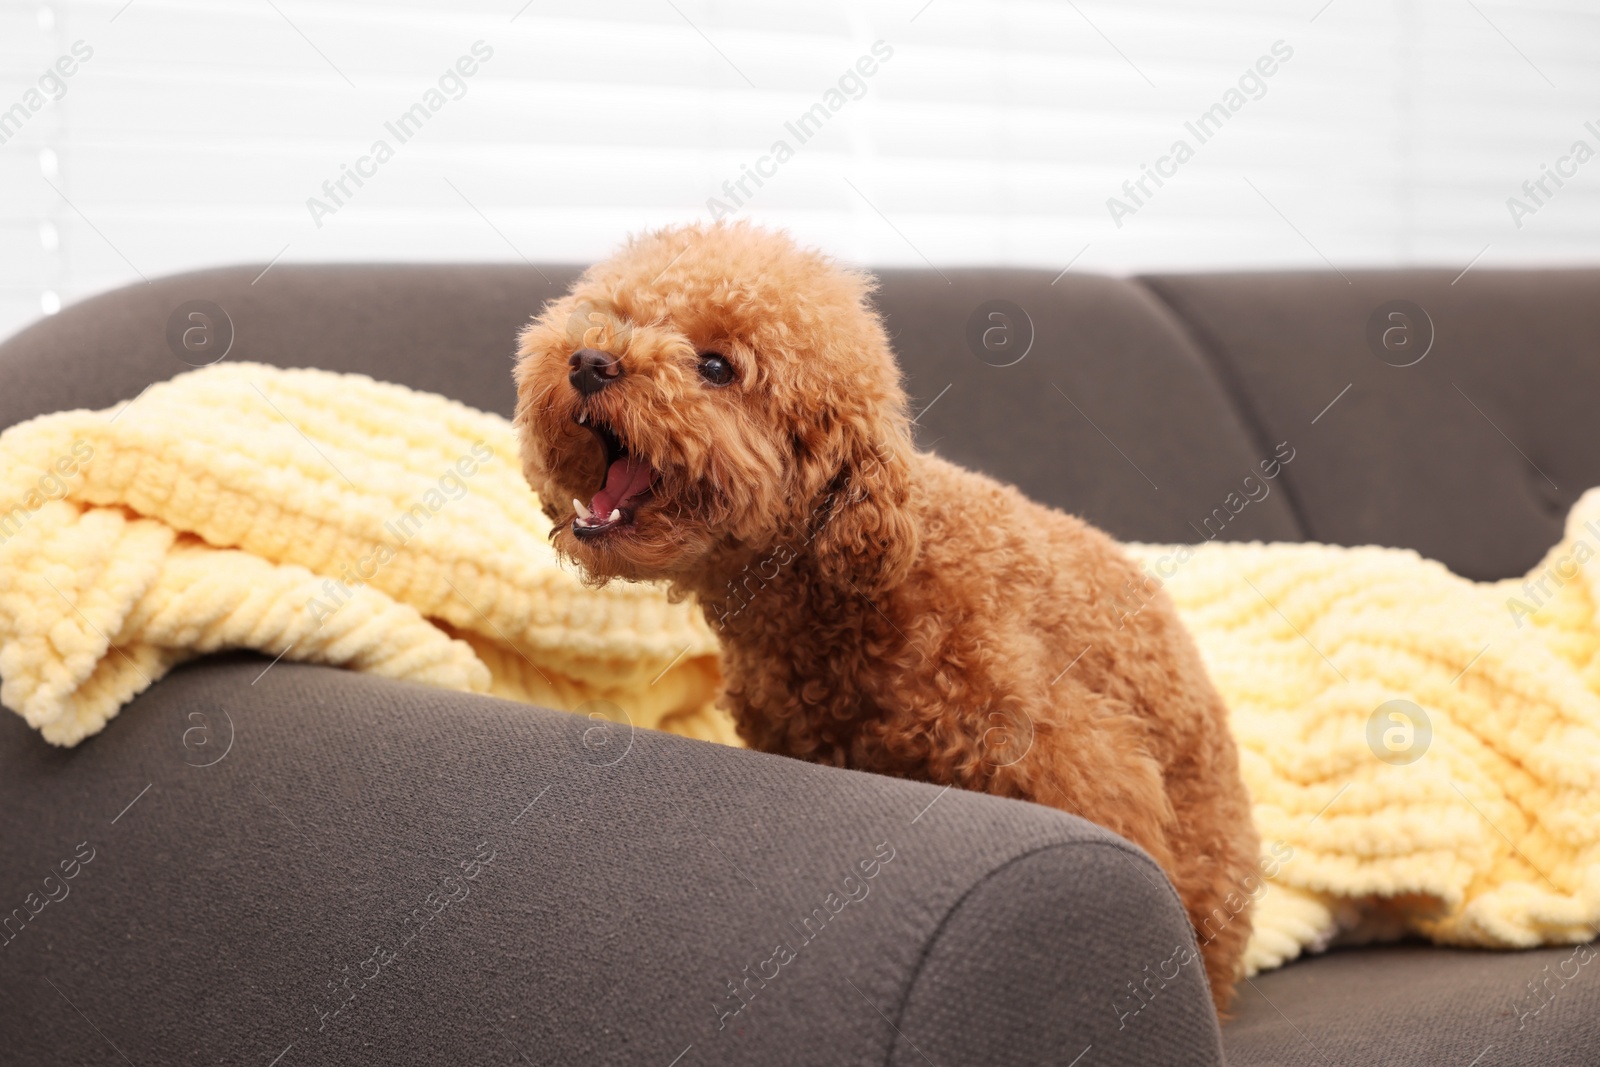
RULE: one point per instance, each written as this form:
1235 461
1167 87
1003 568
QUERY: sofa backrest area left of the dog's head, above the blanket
447 330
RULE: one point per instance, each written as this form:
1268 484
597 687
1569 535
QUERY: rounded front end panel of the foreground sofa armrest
1074 951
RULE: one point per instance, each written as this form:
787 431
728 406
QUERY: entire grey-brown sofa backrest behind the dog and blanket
1153 407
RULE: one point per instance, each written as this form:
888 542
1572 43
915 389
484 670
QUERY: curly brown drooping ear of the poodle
865 535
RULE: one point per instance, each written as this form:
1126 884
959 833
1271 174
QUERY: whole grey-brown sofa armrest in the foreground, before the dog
327 868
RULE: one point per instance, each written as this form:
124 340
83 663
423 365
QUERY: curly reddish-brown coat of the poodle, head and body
879 607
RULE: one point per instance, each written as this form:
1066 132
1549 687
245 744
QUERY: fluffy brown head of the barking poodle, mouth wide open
711 394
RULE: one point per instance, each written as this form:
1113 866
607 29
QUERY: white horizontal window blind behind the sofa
948 132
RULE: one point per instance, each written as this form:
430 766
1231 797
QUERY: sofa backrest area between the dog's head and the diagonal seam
1111 415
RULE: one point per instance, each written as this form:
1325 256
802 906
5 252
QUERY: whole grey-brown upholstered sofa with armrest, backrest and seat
386 874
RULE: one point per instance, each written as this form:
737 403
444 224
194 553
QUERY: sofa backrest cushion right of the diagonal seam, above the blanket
1473 455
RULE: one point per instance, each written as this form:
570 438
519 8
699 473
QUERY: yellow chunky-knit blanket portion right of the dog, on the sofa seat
1492 834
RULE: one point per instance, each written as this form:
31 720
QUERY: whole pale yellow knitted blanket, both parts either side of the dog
1423 751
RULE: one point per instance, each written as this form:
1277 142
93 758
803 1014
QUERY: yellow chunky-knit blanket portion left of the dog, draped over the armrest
322 518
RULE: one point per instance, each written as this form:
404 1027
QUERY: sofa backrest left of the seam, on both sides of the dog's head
1145 399
